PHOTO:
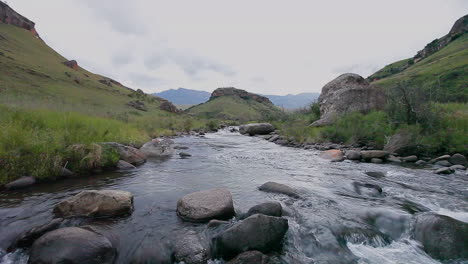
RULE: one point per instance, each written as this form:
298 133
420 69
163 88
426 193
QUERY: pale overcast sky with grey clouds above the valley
263 46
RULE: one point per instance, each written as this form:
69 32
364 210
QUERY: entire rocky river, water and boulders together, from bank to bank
241 199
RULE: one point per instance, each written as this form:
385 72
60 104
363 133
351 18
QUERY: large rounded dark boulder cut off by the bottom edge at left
72 245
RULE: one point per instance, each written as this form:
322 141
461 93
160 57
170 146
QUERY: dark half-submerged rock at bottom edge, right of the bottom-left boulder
152 253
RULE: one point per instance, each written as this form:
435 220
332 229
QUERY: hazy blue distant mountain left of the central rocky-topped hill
184 96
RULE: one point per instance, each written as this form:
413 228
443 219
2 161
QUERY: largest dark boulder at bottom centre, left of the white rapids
257 232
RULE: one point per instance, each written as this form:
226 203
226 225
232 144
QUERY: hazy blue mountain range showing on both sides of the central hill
184 96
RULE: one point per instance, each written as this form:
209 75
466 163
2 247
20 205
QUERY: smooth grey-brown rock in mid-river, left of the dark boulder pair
203 206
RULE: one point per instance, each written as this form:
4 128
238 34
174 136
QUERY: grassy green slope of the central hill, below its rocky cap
236 108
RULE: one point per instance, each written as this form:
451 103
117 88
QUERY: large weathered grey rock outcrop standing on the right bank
347 93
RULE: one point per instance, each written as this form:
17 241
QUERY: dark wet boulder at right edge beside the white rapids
443 237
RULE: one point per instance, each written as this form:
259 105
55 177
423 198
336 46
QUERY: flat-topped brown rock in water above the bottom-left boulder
92 203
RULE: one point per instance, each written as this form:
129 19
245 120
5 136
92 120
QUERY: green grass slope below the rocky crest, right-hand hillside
443 75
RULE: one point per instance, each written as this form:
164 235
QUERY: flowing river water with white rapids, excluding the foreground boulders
331 223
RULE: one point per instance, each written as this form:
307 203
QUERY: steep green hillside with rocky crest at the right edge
440 69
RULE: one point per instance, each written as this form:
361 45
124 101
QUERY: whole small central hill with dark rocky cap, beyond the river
236 104
